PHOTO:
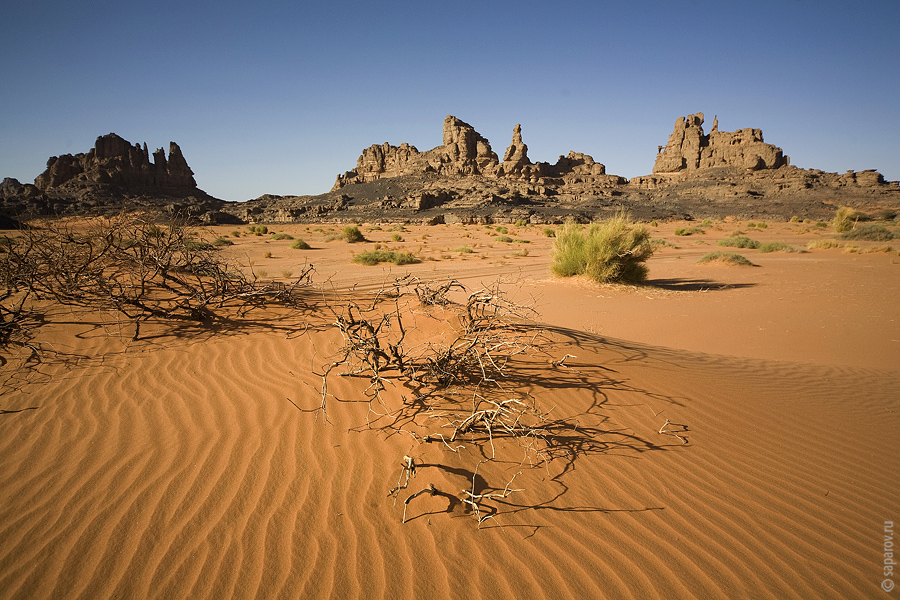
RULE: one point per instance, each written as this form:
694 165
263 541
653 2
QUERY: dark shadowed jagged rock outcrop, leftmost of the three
114 162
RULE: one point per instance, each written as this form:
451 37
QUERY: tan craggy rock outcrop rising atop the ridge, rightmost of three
689 149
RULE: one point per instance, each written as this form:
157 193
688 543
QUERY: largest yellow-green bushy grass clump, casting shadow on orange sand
610 251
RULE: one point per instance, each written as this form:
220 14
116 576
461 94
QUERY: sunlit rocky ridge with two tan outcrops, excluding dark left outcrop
717 174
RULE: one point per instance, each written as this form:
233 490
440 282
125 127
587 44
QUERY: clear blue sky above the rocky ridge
279 97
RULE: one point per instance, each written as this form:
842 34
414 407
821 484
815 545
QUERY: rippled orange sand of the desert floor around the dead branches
192 463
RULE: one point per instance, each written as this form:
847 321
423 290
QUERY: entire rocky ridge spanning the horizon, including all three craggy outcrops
463 180
